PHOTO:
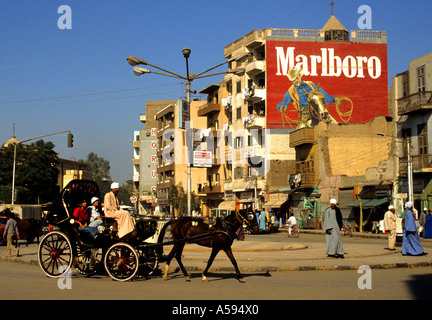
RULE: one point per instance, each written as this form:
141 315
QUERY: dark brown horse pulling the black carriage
220 237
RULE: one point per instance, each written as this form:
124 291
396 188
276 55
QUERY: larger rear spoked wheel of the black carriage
55 254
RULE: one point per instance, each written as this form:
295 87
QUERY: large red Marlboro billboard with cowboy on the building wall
331 82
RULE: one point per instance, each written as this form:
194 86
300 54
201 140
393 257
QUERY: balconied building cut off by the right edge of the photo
411 102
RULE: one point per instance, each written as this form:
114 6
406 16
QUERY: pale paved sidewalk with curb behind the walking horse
289 255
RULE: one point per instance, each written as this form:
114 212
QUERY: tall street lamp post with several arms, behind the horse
134 61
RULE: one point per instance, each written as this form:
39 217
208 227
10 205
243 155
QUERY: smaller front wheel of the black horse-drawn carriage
121 262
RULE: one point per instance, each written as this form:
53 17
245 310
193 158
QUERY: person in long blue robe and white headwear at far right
411 245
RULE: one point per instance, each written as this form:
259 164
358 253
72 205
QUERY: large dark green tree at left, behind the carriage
36 172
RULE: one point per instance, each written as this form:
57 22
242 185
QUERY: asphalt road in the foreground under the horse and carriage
21 281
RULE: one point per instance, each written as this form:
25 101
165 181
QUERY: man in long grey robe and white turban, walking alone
332 226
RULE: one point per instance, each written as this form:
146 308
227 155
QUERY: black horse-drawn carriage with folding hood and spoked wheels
67 244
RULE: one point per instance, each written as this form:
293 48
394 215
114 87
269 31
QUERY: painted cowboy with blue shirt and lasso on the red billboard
309 101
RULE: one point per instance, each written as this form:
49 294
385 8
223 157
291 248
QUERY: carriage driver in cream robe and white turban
112 210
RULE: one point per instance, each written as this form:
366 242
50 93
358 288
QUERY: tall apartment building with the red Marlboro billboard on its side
347 71
